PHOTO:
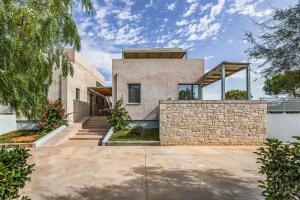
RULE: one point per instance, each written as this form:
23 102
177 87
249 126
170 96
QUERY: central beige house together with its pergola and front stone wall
163 88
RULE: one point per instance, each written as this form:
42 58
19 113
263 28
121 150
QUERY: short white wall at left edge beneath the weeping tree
7 123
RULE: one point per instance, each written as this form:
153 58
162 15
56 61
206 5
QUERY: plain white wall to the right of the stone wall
283 126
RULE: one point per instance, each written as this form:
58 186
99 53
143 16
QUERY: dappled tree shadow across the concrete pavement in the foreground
171 184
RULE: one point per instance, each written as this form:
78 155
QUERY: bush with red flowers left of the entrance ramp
51 115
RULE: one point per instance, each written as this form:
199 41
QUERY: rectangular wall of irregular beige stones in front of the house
212 122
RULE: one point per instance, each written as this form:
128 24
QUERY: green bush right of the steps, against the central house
118 117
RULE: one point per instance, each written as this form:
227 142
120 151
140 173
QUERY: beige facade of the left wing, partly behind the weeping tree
84 76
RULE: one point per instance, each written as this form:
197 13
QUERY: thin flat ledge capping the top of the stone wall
212 101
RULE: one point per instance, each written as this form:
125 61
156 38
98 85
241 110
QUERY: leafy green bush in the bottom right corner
280 164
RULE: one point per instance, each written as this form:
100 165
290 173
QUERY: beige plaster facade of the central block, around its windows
158 78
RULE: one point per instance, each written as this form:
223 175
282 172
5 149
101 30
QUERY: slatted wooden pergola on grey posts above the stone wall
223 70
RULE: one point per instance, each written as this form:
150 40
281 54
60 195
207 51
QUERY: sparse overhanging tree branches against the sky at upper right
278 43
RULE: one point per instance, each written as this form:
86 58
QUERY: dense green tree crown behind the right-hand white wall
284 83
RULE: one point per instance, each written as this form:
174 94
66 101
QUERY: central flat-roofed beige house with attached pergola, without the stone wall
143 77
